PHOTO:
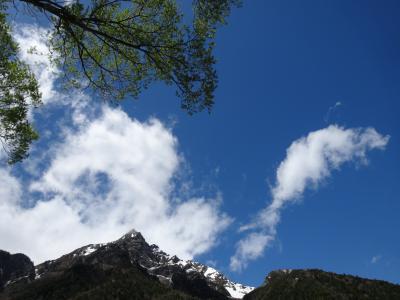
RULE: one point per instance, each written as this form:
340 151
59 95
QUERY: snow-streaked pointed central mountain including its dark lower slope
128 268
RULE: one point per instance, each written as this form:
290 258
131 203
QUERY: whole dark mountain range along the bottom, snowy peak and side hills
129 268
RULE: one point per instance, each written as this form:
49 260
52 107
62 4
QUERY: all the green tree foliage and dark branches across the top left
118 48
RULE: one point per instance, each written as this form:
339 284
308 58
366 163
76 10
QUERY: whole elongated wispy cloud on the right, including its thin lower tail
309 160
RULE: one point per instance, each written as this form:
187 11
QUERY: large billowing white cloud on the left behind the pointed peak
98 178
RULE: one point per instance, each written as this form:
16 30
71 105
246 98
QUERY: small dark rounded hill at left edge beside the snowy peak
15 267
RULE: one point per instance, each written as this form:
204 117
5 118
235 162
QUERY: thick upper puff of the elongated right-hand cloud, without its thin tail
311 159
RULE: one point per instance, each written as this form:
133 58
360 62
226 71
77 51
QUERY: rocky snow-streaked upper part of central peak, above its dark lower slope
189 277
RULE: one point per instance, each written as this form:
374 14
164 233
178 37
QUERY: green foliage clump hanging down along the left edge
18 91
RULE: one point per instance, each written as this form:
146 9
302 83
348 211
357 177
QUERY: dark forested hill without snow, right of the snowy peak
317 284
